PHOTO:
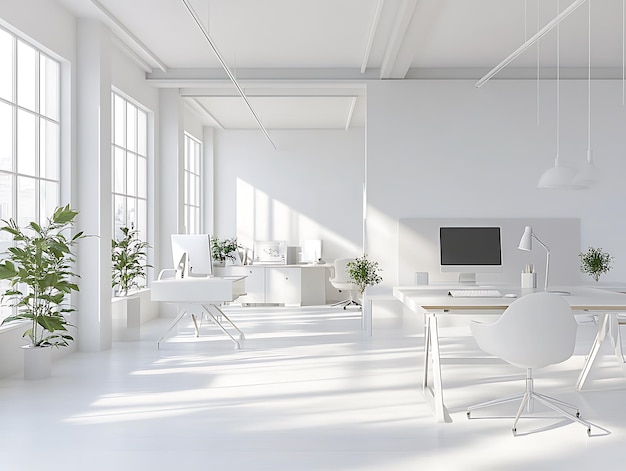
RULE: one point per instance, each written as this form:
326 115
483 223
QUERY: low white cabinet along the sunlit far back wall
291 285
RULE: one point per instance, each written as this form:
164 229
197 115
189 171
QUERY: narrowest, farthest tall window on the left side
192 197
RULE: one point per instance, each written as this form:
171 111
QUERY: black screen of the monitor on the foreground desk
471 246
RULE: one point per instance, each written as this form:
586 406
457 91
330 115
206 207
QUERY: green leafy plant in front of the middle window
129 255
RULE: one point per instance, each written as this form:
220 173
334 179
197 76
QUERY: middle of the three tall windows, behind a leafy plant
130 166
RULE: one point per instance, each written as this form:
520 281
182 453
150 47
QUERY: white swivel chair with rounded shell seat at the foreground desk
535 331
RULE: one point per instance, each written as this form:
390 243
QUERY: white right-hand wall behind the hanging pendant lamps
447 149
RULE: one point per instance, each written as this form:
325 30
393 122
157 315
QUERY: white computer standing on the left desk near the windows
191 254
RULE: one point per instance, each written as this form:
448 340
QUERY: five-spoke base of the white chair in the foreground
527 398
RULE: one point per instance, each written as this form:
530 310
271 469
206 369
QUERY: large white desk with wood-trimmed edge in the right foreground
434 302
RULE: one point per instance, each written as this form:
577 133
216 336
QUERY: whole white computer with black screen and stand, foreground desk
470 250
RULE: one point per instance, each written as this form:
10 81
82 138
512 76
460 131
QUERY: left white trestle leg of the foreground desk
432 358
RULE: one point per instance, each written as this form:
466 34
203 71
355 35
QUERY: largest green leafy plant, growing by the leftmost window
40 273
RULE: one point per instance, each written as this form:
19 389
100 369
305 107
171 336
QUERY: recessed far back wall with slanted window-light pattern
310 188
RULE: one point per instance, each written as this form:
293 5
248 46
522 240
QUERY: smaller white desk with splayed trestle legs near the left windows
200 295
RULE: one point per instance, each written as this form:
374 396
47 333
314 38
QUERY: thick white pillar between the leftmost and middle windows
93 143
